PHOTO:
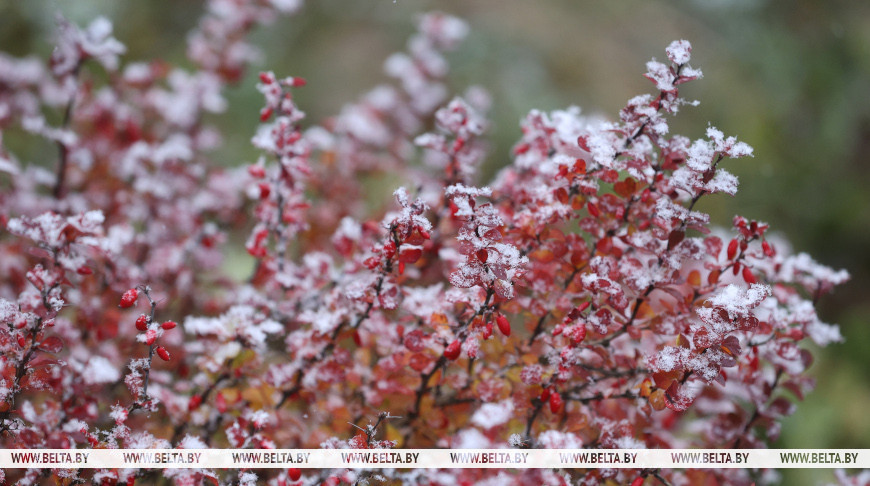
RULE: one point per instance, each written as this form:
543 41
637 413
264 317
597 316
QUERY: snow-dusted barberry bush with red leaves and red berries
577 300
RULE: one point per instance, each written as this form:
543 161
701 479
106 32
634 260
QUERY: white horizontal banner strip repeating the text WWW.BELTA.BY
433 458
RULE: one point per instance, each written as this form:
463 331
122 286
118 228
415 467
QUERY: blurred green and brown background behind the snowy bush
791 78
